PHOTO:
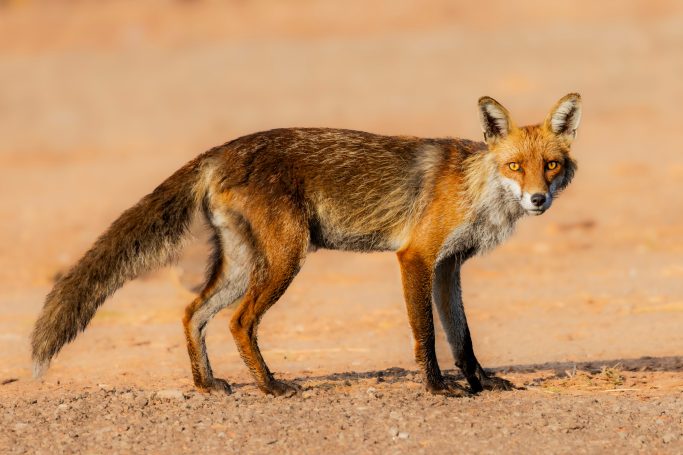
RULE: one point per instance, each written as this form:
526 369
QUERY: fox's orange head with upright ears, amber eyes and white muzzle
533 162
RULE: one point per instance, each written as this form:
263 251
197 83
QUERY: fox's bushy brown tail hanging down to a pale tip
144 237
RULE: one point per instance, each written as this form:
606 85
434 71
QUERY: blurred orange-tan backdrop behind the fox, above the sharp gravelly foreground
101 100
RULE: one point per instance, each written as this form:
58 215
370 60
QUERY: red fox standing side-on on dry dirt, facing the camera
272 197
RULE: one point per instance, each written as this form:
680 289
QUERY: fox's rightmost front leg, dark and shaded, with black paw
447 295
